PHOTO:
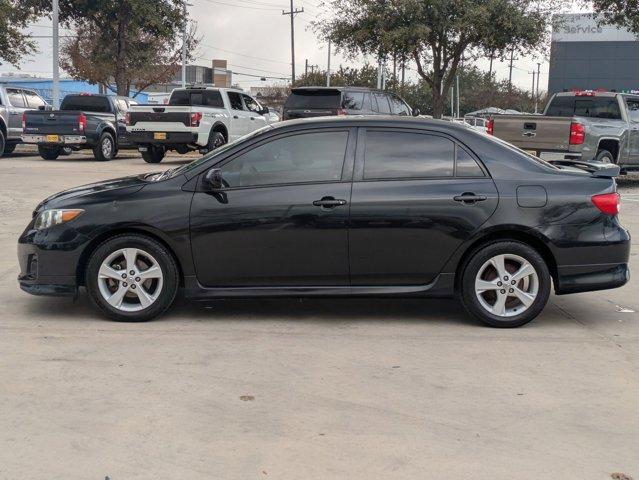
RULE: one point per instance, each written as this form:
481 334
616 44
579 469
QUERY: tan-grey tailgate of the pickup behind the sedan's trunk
533 132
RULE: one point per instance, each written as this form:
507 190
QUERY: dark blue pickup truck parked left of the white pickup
84 121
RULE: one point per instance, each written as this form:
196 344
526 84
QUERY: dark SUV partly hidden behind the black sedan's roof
306 102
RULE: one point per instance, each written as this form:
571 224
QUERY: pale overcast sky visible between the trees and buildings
254 37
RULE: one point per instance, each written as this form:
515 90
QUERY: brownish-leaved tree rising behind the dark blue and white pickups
129 43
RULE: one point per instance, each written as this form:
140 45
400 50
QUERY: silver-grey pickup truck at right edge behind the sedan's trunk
589 126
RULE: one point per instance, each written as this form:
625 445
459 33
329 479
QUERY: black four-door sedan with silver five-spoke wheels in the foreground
374 206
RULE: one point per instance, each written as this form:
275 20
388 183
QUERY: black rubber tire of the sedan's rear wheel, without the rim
478 259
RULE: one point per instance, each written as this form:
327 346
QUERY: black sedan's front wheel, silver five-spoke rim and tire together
132 278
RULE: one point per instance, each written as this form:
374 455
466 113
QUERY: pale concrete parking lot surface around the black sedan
307 389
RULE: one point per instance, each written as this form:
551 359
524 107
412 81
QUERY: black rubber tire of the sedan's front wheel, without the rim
168 289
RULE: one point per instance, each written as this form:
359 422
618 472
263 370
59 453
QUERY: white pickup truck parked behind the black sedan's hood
196 118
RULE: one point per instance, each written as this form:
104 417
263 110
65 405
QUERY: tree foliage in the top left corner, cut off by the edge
14 44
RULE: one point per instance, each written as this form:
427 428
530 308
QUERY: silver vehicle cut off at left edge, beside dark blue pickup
14 101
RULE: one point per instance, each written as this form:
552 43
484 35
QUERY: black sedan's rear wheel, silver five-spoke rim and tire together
505 284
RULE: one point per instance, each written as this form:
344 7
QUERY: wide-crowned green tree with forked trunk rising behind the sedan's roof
436 34
